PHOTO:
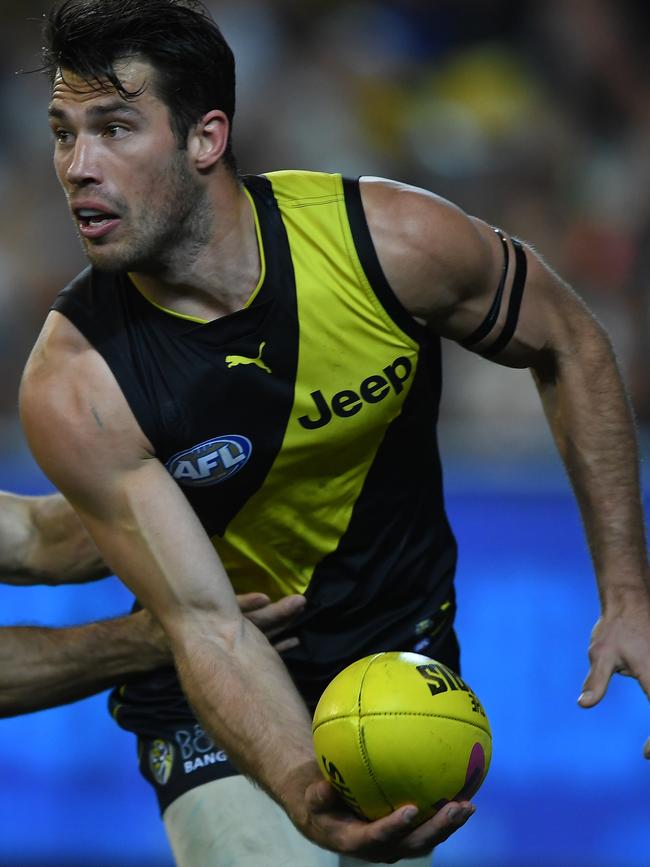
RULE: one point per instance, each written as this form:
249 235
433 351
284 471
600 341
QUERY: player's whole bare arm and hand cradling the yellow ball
86 439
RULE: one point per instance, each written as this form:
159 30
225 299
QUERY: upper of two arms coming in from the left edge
42 541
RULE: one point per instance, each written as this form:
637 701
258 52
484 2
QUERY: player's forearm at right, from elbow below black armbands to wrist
589 414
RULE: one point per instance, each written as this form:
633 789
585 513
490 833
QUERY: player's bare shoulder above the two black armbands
432 253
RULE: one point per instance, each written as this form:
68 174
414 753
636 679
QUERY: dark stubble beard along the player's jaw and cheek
162 241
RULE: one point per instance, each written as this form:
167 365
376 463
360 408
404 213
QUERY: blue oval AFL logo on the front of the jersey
210 462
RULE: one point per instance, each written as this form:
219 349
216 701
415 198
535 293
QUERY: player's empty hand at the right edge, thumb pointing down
620 644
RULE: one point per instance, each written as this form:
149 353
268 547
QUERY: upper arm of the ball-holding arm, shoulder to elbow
88 442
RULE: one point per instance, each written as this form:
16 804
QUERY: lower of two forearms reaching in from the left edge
41 667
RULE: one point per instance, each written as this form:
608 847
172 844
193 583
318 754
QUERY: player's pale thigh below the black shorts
231 823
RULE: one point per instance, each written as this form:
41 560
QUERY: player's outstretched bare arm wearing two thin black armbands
446 268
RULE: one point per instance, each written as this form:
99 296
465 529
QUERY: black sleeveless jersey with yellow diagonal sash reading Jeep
302 428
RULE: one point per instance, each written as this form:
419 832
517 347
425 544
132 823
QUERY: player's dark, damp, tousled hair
194 66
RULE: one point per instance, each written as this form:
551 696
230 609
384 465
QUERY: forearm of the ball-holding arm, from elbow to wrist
240 688
